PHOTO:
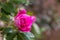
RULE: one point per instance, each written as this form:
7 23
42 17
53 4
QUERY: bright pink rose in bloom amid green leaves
24 21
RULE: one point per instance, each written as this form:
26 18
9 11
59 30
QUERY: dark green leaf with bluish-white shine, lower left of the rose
10 33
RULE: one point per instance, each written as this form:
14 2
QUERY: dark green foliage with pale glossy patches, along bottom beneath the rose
11 34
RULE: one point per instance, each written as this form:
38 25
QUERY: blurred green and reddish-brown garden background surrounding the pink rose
47 26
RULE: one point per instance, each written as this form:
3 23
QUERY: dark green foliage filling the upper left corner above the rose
10 6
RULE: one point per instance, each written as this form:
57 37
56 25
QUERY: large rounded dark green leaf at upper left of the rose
8 7
